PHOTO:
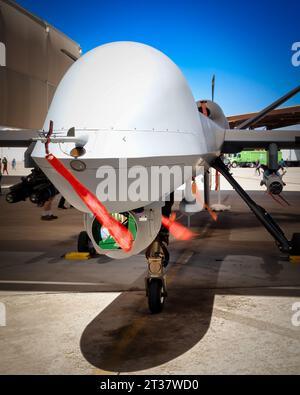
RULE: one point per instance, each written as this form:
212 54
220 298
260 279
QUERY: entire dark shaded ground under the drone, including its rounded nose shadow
124 337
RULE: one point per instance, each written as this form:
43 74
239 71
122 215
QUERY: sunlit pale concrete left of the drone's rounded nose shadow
43 332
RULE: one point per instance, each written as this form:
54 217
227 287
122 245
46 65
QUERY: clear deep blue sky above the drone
246 44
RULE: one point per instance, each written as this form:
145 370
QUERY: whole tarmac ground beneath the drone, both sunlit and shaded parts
229 309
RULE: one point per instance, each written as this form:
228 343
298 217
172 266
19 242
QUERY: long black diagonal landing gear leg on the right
291 247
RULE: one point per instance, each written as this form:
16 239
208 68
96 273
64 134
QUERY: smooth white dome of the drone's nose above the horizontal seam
124 86
